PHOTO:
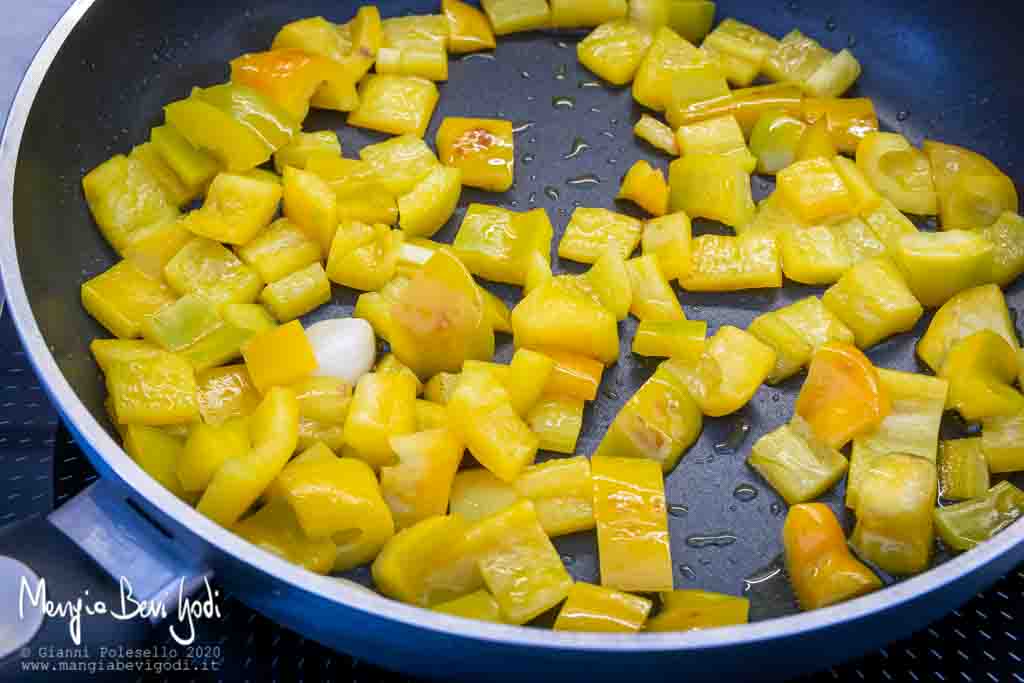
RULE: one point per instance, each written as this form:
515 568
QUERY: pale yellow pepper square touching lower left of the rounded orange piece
796 463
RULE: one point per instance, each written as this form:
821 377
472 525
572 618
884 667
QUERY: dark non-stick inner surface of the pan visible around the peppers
948 71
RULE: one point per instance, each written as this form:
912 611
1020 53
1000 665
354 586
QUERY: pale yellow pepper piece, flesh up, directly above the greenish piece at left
207 269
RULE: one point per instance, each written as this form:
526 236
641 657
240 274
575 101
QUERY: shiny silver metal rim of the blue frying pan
100 446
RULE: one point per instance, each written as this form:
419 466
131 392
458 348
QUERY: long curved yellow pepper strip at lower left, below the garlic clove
274 431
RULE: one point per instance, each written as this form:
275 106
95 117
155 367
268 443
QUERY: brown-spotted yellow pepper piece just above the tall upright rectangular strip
660 422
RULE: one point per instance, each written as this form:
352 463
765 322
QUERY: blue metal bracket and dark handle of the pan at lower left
97 573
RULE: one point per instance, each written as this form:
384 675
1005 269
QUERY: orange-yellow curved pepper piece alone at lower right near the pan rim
822 569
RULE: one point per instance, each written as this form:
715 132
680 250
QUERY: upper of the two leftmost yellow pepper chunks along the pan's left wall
124 197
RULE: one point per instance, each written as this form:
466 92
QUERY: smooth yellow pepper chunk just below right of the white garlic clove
383 406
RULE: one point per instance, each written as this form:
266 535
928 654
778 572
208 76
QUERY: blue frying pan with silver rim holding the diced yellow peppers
97 88
